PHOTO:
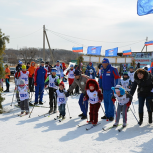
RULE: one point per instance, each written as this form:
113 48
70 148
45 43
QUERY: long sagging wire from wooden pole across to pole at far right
90 39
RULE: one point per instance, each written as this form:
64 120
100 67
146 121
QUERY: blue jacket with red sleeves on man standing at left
40 75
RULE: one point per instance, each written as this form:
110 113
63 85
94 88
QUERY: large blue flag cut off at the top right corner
144 7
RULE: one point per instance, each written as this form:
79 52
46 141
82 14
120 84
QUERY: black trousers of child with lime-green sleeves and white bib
52 98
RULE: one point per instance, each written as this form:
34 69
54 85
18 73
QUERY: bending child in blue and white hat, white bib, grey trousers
124 101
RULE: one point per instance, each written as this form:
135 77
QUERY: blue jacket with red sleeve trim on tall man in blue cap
110 77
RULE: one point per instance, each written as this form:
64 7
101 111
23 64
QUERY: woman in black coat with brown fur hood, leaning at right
144 81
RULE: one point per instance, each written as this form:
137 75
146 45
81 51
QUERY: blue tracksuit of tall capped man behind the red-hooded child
110 78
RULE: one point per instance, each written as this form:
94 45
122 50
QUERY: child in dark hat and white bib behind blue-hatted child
126 82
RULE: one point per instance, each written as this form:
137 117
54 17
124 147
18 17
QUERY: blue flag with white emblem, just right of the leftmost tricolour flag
94 50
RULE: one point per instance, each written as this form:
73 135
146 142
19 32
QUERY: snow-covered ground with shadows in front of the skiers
45 135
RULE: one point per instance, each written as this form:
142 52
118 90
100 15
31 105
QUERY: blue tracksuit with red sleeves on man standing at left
39 80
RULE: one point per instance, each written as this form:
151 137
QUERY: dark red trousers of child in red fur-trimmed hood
94 108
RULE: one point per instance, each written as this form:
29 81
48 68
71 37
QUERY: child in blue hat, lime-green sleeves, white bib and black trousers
52 81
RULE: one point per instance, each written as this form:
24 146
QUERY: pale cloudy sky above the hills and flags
106 23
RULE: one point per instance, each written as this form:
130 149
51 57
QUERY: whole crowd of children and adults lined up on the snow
110 88
